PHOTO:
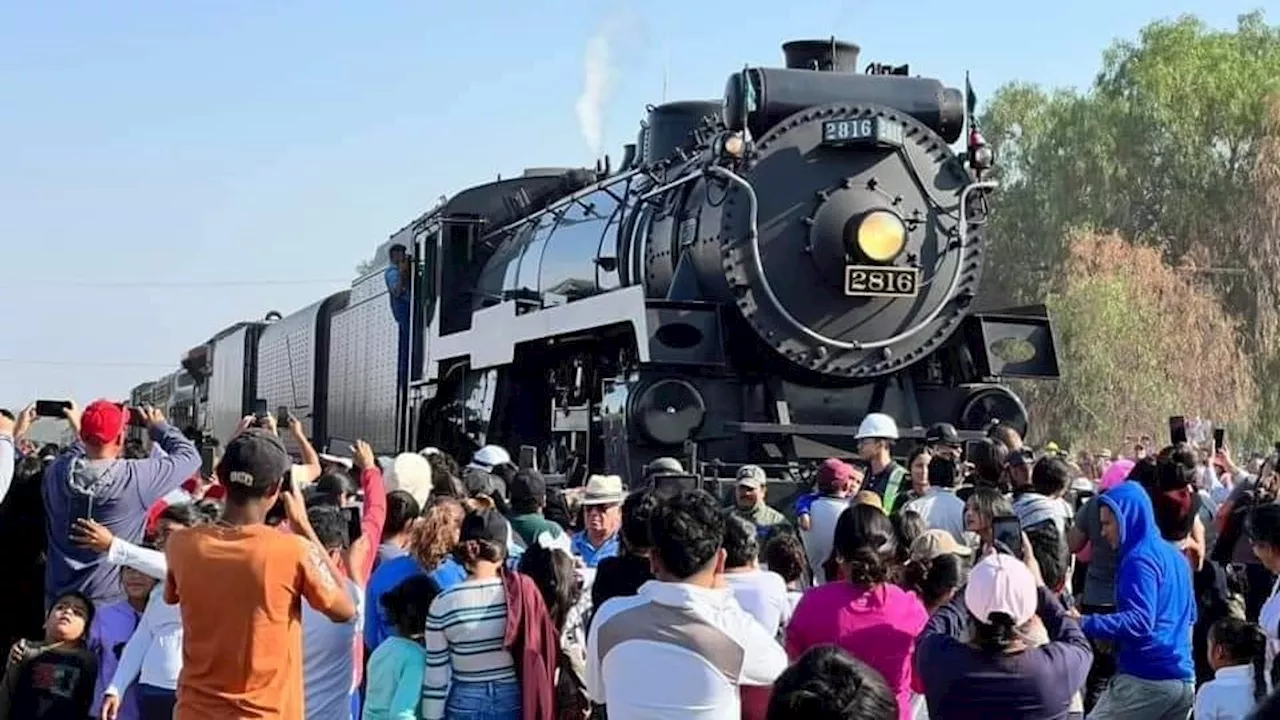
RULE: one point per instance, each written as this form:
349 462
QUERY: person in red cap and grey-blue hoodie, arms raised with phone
90 480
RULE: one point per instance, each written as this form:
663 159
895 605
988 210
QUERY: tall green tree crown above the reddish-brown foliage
1160 149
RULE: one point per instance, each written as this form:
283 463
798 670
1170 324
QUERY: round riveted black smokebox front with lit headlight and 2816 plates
845 256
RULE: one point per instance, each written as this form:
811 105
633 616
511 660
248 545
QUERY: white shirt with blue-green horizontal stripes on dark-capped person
465 632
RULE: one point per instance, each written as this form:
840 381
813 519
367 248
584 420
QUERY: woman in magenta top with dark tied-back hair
866 614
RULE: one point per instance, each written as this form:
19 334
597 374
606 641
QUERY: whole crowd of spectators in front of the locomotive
980 580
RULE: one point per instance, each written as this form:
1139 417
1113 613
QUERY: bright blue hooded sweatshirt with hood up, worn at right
1155 604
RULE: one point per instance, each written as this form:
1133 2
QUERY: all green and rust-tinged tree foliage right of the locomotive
1169 149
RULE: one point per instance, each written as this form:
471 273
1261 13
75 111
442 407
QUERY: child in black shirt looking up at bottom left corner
53 680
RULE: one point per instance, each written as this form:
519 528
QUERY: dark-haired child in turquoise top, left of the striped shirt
397 667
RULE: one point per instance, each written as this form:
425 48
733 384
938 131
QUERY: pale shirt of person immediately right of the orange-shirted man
330 659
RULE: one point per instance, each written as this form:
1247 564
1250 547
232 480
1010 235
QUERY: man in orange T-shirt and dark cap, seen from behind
241 586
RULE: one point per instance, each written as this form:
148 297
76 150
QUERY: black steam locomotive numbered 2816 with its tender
760 274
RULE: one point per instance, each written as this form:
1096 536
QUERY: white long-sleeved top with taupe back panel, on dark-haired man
676 651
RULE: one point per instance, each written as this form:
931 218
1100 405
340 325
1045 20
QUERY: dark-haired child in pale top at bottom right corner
1237 650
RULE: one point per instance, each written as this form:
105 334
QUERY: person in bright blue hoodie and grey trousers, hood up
1154 618
